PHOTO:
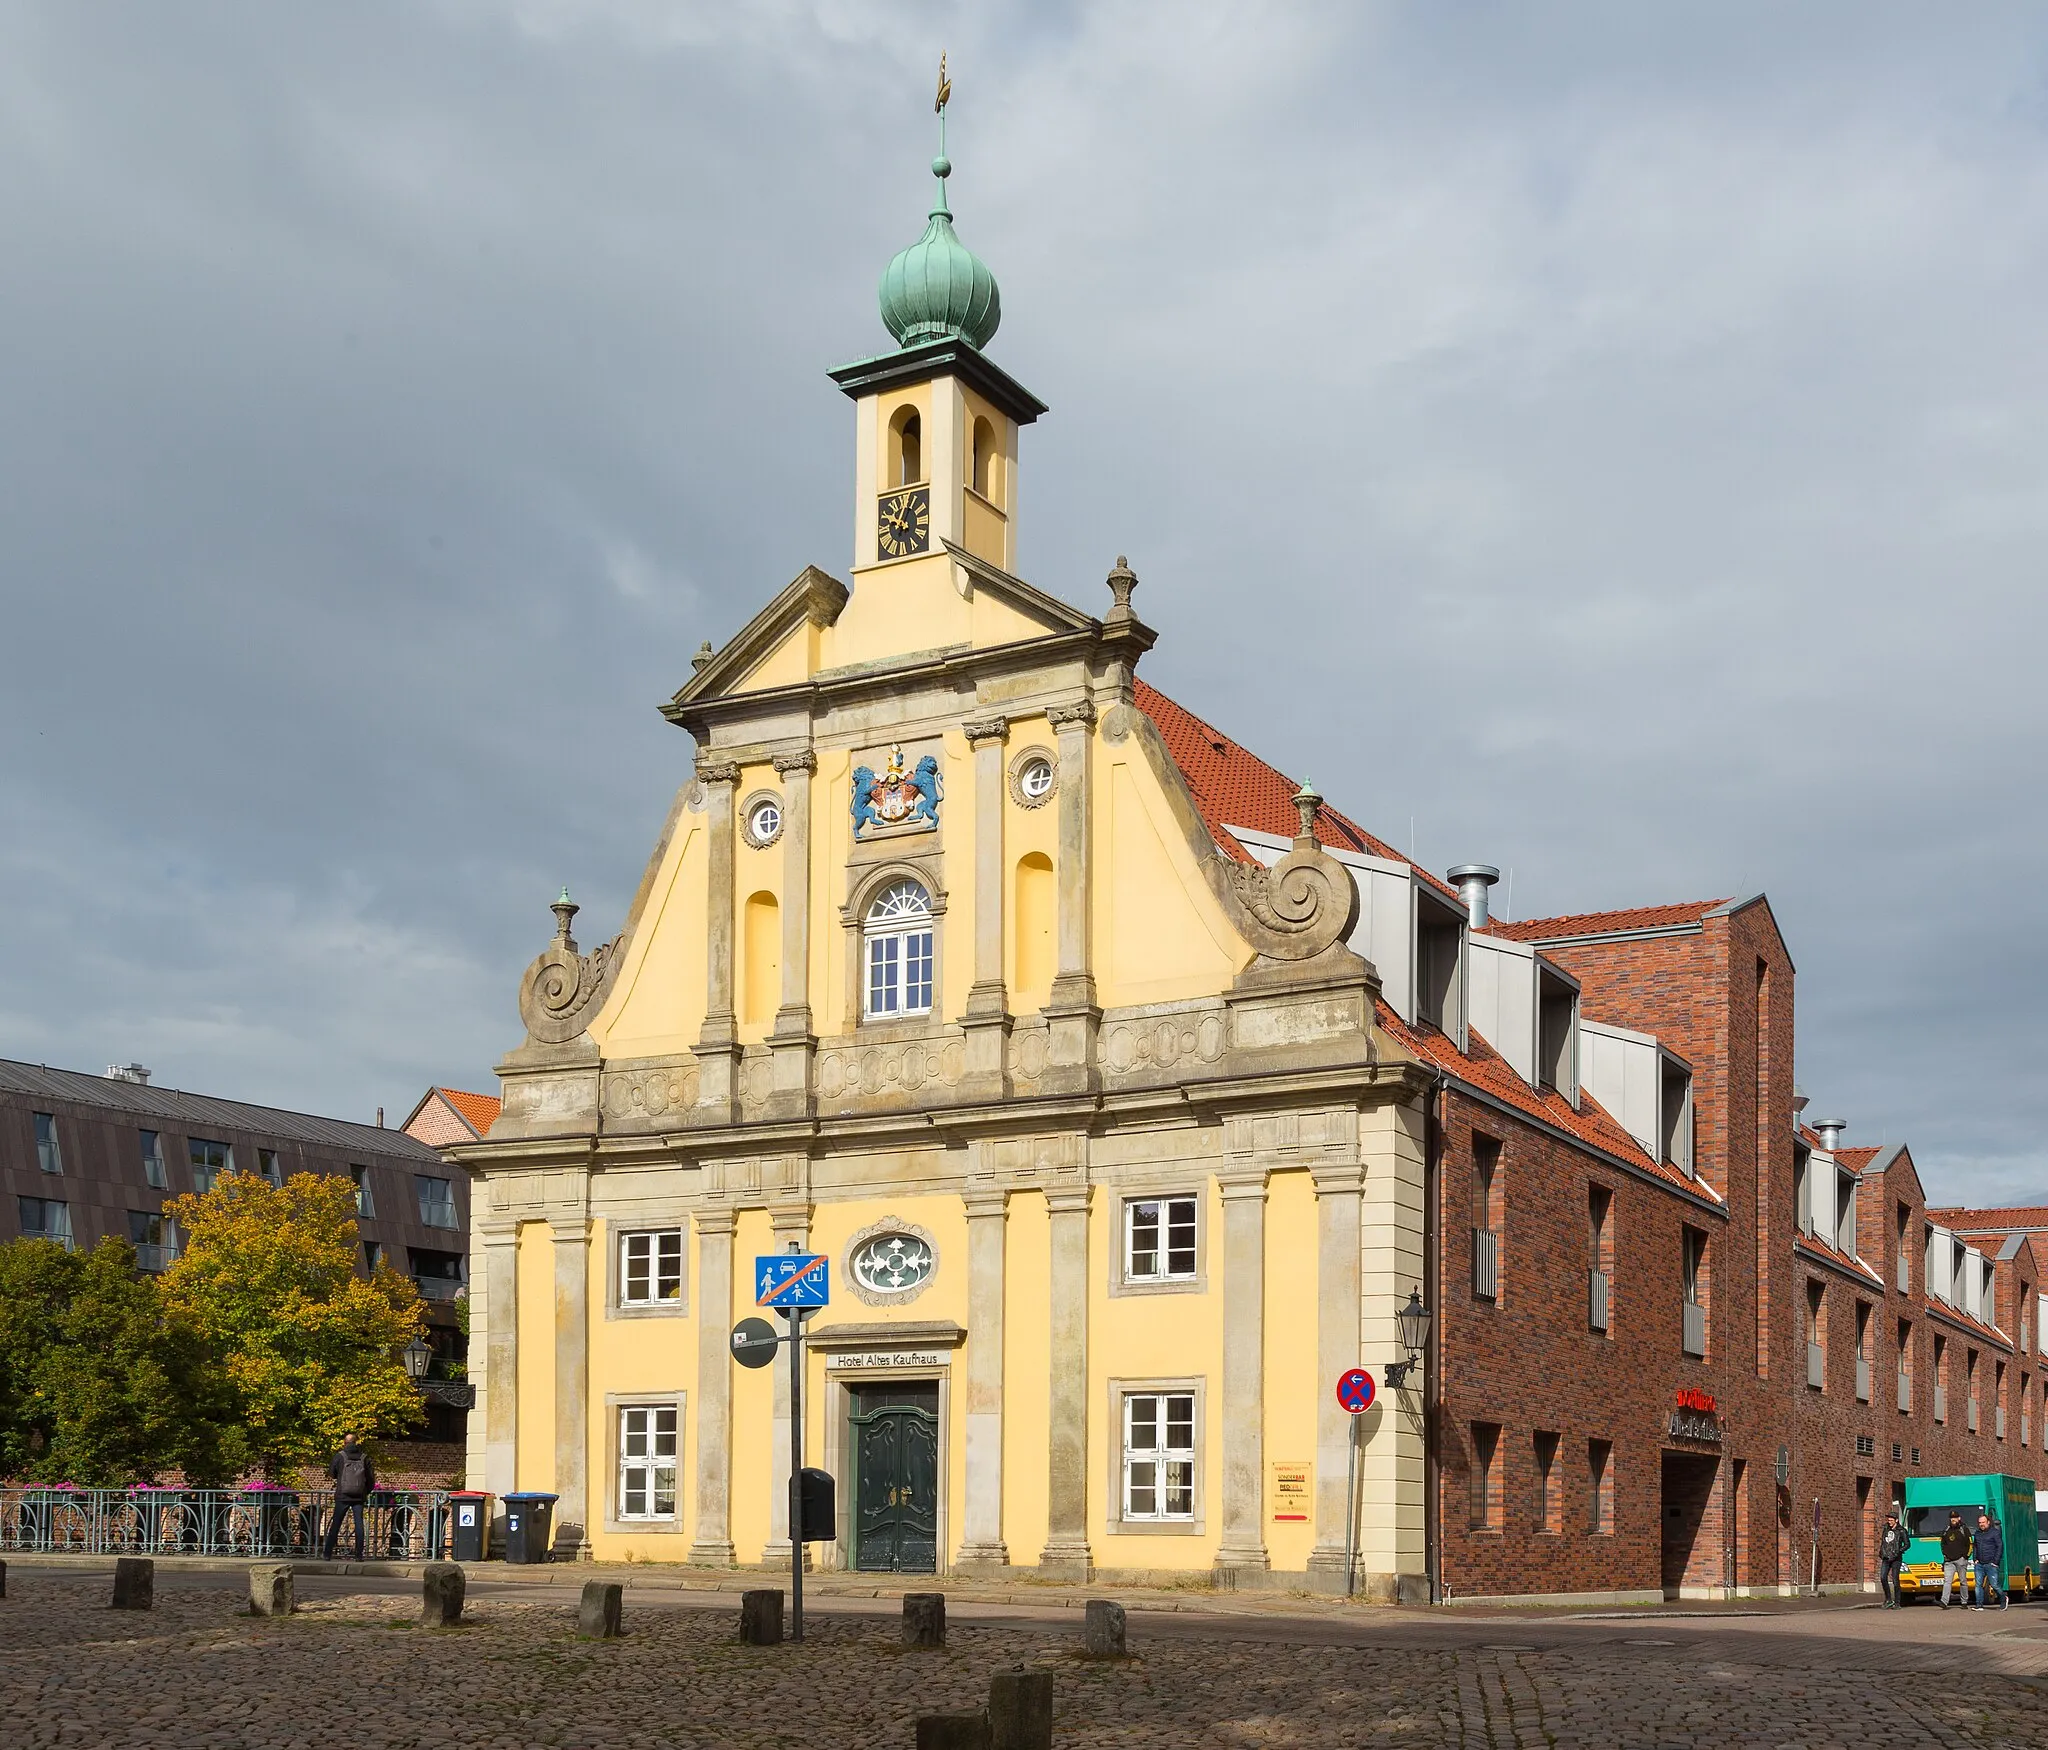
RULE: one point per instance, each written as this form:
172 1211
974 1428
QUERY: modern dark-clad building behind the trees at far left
93 1157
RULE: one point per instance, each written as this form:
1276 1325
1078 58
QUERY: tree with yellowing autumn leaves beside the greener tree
310 1349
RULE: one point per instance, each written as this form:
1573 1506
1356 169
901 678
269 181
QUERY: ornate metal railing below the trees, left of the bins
398 1526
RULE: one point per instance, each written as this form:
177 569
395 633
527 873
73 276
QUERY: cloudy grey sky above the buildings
1598 440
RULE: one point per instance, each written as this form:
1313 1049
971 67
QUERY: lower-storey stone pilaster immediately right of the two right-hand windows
1242 1548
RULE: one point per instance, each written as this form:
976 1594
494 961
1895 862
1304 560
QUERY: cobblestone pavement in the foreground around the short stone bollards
353 1669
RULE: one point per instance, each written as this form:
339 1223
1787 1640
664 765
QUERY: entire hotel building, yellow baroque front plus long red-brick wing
1132 1093
